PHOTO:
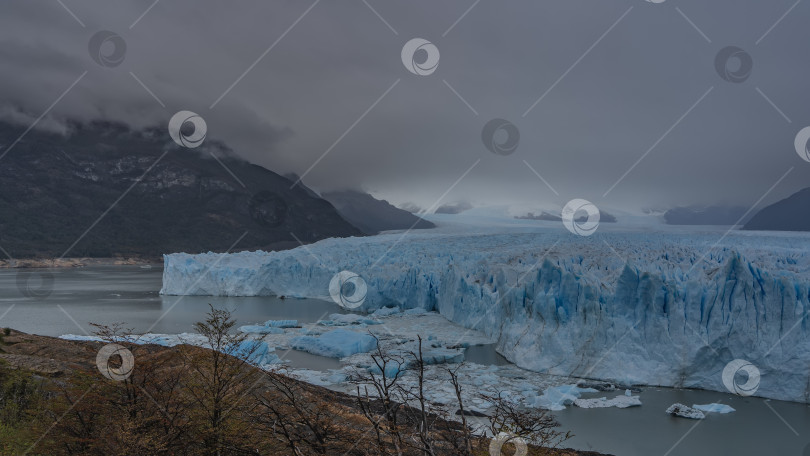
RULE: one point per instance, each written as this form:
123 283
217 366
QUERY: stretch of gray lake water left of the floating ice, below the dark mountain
109 294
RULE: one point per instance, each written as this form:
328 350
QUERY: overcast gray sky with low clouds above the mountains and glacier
617 75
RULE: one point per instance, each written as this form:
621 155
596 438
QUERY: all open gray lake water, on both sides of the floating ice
109 294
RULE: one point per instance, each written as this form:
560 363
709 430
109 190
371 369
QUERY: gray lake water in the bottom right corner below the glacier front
758 427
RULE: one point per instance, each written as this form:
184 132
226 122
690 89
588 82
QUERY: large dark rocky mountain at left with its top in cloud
53 189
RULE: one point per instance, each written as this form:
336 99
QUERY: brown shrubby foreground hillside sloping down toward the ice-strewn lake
187 400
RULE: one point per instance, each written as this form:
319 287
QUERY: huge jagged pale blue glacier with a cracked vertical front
664 306
